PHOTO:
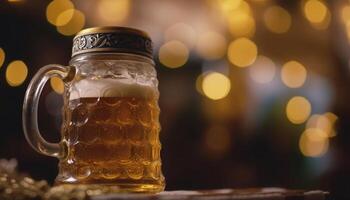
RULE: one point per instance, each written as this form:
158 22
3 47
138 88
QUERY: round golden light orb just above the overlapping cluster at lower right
298 109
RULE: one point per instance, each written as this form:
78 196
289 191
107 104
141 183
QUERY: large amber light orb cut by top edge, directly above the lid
113 12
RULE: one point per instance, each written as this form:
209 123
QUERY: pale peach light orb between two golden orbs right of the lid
211 45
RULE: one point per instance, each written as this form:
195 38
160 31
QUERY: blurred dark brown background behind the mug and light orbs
242 140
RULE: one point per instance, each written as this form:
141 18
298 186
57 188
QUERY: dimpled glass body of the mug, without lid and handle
111 124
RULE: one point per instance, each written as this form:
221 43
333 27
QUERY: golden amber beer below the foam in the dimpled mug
113 139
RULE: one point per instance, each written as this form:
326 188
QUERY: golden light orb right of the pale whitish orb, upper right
293 74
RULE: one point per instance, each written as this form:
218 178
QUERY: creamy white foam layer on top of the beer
110 88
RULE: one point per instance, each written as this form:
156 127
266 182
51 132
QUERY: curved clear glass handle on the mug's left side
30 109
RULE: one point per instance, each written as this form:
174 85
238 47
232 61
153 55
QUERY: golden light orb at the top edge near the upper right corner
315 11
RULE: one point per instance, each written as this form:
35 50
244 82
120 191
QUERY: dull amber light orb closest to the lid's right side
173 54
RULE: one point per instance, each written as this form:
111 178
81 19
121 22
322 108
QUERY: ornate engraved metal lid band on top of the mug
112 39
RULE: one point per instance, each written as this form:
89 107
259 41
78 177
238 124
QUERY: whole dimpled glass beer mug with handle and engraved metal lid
110 129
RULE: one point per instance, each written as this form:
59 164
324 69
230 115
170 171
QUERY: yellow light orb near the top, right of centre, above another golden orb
241 24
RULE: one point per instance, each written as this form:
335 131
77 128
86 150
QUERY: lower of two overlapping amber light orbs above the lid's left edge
74 25
